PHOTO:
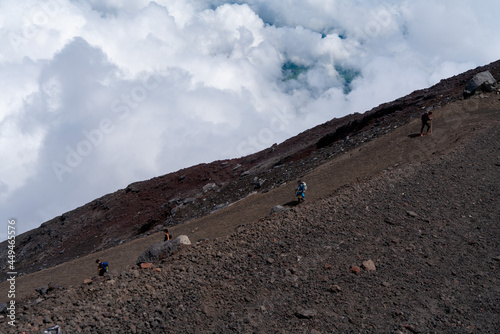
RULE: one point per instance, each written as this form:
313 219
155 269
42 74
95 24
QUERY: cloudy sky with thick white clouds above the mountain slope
98 94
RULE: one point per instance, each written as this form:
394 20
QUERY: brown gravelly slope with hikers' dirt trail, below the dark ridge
424 210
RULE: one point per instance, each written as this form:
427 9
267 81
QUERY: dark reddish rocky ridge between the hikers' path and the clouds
172 199
